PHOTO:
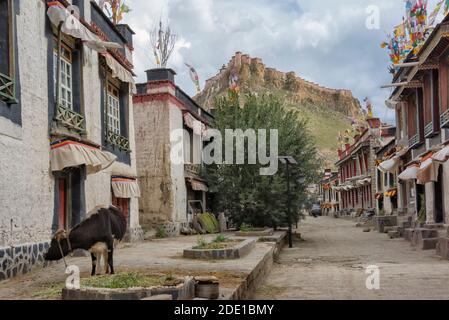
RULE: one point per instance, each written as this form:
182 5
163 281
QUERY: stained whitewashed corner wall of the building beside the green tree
162 183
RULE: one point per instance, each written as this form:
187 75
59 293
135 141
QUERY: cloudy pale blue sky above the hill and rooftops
325 41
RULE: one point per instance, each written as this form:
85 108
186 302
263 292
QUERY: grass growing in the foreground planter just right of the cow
129 280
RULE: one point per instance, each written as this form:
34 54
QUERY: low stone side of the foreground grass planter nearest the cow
183 291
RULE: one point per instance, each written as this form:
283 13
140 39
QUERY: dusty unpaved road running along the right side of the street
331 264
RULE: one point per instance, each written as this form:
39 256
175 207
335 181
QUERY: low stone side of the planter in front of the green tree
239 250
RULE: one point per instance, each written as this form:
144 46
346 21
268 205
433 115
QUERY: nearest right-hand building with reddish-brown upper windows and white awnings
421 102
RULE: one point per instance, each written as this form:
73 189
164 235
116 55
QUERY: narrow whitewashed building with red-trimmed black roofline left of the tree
171 192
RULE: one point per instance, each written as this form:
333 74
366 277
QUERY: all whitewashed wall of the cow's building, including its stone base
26 183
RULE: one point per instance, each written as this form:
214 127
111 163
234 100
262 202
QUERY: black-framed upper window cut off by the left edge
7 65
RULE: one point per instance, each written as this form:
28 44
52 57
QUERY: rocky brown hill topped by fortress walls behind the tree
328 110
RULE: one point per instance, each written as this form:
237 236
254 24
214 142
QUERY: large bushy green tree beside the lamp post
241 192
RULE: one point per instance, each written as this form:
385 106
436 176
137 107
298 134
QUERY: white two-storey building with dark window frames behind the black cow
66 126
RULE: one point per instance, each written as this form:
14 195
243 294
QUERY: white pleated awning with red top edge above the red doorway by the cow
68 153
